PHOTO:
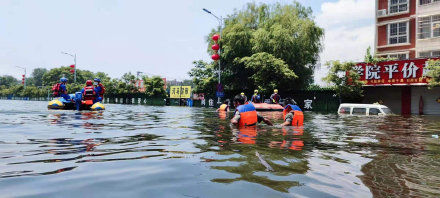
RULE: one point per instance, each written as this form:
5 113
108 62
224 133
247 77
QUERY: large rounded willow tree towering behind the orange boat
287 32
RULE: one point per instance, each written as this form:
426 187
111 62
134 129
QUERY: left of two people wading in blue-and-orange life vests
246 114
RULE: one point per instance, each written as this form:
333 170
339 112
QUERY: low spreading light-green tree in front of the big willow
268 72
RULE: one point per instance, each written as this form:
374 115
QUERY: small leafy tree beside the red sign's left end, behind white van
345 80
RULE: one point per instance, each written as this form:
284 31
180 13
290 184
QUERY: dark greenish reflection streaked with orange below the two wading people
280 147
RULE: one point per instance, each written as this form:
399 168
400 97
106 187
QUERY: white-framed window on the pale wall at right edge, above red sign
429 27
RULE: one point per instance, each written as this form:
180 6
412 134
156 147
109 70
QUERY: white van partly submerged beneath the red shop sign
363 109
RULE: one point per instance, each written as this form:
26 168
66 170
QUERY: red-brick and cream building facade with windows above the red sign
408 29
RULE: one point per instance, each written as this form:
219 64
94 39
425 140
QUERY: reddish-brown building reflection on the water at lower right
405 164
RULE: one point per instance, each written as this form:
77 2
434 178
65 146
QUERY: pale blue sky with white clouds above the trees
161 37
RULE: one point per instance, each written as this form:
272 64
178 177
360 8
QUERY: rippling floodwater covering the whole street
143 151
